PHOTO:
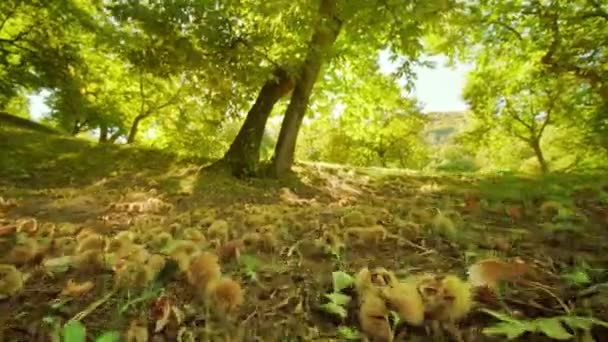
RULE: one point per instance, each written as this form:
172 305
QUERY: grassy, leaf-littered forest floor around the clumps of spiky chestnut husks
70 185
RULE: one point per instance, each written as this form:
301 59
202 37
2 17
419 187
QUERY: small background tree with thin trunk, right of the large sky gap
517 99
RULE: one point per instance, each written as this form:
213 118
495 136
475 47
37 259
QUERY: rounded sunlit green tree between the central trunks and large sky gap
370 123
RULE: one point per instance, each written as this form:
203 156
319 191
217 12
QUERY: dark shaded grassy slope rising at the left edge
32 160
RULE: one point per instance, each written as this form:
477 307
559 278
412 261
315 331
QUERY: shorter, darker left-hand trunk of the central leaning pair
243 155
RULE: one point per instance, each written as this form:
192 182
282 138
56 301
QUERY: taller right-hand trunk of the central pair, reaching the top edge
322 40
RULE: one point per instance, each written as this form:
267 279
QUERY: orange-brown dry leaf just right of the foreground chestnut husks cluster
490 272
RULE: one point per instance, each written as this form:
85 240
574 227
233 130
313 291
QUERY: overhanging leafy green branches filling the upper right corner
568 38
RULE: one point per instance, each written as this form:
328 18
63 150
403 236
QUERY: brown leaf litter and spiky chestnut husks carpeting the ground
447 259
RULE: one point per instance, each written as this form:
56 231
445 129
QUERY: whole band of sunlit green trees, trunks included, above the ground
236 81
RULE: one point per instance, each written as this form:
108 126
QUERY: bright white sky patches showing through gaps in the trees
438 89
